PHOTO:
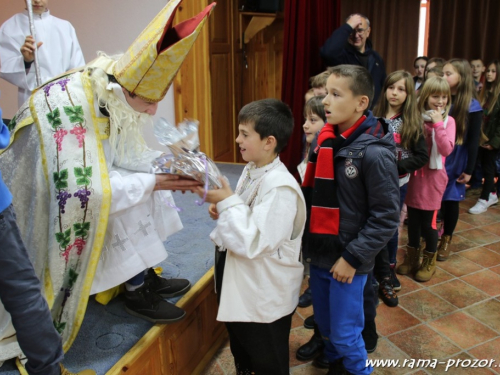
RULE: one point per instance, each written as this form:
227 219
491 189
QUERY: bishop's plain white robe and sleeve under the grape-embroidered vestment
139 222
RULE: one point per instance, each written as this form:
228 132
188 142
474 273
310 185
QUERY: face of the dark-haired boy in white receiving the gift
252 148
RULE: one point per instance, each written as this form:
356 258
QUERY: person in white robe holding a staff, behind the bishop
59 50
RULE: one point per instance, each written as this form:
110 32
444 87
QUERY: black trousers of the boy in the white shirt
258 348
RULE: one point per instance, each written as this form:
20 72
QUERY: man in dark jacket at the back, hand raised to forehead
349 44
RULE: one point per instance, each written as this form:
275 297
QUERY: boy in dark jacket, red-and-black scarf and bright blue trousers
351 190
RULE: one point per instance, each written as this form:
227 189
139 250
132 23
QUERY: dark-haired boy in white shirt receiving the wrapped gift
258 234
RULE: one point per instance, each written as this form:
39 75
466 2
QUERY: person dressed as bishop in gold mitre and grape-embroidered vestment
89 212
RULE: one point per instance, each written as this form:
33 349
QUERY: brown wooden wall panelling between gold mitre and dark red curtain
214 84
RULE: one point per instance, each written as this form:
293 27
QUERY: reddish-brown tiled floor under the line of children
456 315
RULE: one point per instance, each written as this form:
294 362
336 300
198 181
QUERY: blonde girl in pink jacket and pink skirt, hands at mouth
427 185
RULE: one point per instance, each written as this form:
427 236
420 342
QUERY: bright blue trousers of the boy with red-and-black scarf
338 312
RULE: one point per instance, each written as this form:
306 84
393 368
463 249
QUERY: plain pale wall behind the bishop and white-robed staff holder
101 25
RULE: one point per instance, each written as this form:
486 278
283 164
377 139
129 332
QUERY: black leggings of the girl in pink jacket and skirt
422 223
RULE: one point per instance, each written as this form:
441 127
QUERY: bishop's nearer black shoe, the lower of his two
148 305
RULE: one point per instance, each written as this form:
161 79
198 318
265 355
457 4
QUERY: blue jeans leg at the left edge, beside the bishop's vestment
21 295
